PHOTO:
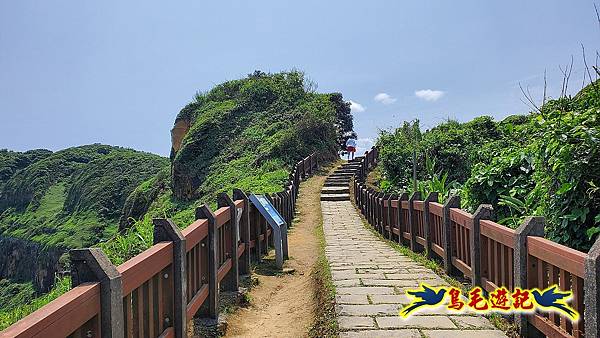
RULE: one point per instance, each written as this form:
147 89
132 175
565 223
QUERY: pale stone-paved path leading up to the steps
370 279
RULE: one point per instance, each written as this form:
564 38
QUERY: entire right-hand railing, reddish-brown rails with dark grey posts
490 255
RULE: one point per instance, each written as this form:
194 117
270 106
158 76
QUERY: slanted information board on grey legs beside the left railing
277 223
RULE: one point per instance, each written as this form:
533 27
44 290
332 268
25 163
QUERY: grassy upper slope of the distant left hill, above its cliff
74 197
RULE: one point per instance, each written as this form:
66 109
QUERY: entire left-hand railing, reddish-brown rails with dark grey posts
157 292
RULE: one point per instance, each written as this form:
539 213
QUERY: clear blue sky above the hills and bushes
118 72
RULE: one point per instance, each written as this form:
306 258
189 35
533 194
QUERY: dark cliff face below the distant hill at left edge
23 260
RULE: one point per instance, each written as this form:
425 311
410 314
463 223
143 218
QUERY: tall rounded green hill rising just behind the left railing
242 134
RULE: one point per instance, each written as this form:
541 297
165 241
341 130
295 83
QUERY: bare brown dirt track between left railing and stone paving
283 305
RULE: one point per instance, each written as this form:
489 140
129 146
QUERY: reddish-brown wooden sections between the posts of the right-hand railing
451 240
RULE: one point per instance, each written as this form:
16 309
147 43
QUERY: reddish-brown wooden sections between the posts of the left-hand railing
147 280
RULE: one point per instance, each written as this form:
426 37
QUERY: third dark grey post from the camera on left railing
211 308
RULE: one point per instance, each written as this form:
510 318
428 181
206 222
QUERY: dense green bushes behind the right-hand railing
544 163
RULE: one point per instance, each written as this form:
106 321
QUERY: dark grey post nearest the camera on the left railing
92 265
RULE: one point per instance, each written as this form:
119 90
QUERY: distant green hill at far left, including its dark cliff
53 201
